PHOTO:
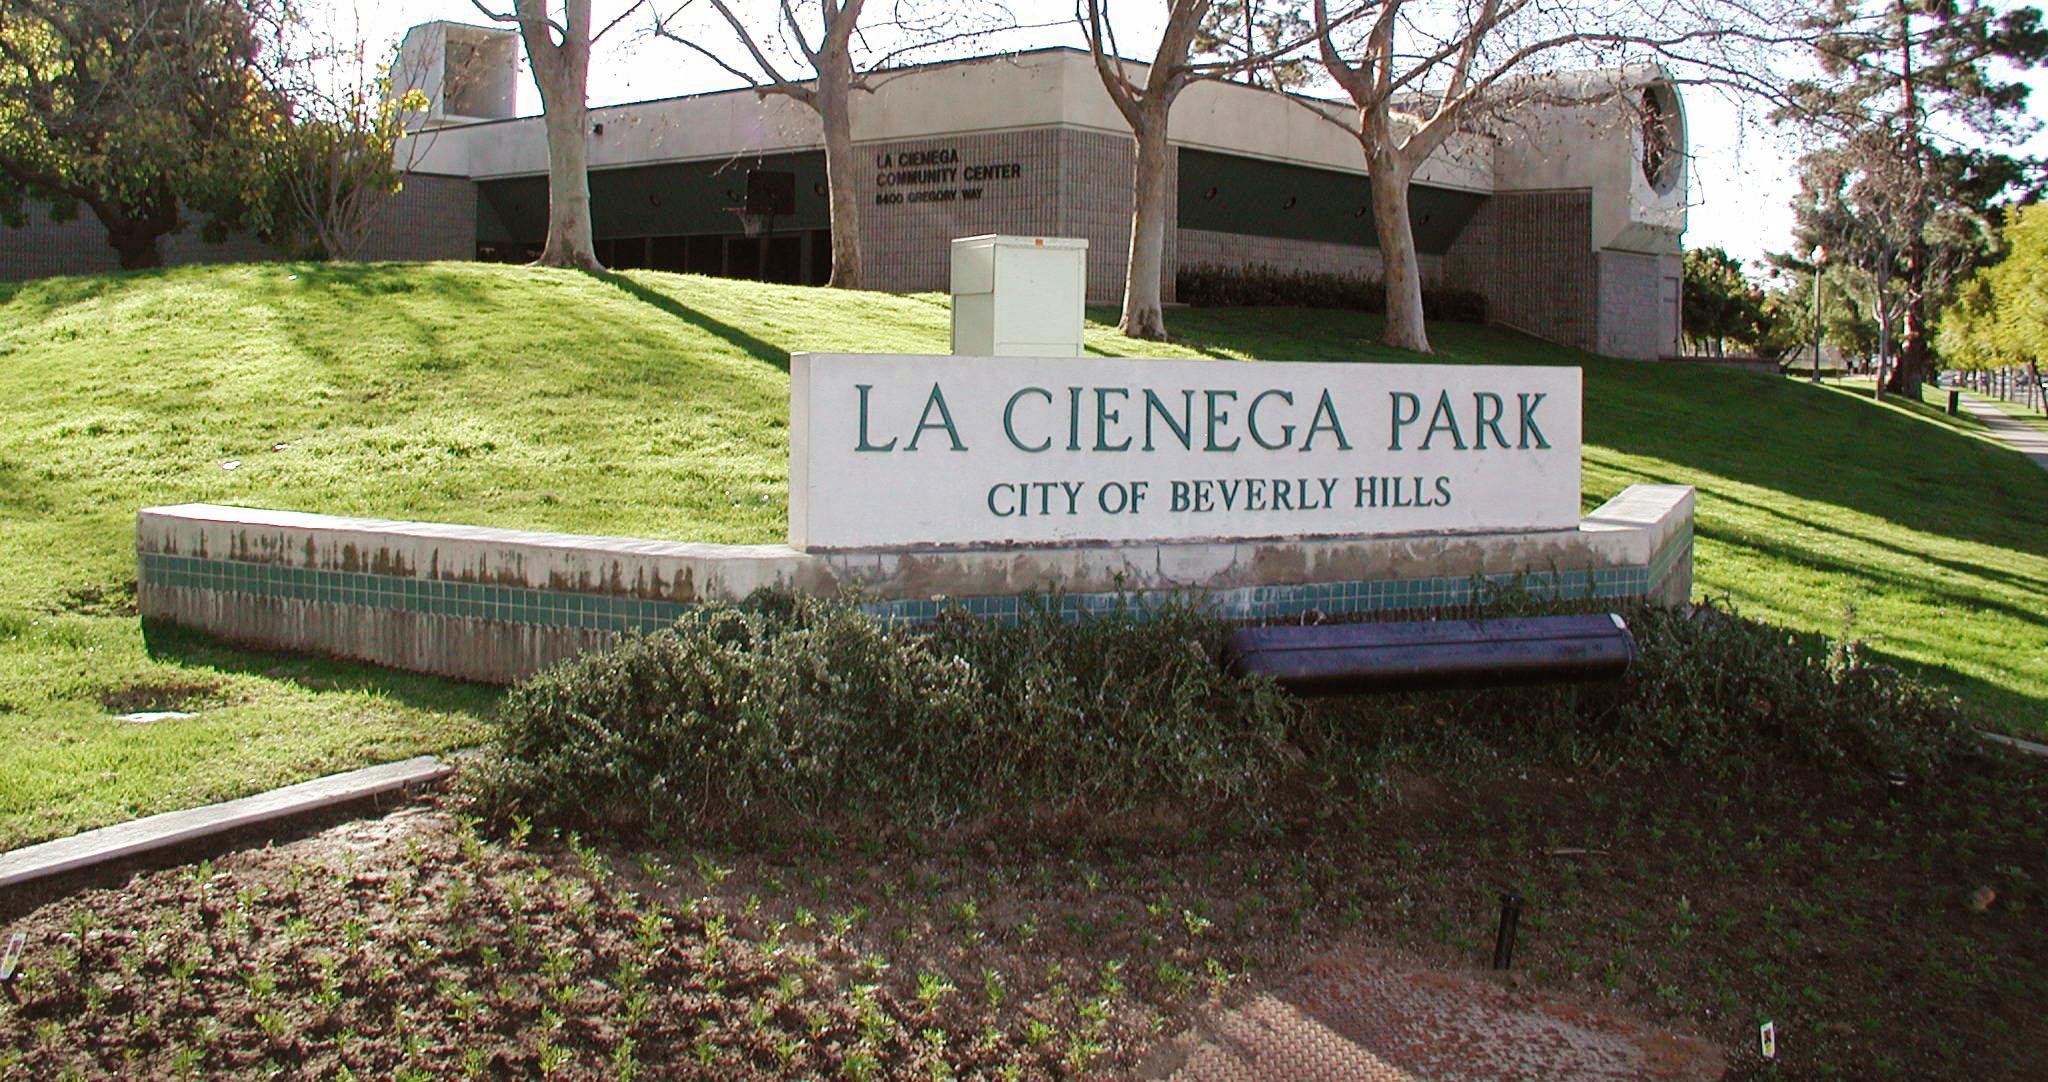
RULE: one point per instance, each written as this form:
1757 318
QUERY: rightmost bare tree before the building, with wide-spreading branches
1420 73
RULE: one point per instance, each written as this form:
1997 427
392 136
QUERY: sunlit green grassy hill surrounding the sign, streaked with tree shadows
654 405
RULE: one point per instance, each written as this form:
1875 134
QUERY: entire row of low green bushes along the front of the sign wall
812 712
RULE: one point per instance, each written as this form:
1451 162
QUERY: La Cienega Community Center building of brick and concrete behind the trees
1566 218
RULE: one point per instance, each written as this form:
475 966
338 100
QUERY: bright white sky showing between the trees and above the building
1744 171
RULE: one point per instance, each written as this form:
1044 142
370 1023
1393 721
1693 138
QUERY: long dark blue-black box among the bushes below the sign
1435 655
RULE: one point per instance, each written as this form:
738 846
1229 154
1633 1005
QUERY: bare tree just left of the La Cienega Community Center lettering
820 60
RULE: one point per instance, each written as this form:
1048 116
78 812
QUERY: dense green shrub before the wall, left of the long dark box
820 710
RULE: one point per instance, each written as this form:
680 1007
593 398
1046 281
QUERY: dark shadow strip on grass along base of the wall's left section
167 642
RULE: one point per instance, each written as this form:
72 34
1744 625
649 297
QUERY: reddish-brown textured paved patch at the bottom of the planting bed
1363 1017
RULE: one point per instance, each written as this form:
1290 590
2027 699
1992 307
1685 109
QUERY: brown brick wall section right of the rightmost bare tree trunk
1533 257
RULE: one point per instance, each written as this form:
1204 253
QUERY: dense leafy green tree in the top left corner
140 112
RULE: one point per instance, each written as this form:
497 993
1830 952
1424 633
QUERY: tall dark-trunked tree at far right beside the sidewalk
1902 79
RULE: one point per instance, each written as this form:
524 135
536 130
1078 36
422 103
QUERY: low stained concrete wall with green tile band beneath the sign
499 606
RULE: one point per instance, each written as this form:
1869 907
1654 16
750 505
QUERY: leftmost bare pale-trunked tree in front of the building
560 56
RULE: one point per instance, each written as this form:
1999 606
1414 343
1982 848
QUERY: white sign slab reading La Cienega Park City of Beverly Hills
916 452
